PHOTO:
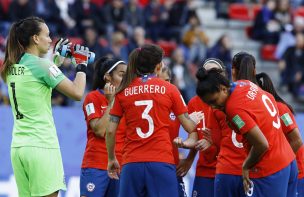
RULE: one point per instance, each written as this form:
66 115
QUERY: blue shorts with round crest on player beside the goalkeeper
93 182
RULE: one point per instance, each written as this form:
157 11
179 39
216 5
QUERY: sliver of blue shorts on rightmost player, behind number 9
293 180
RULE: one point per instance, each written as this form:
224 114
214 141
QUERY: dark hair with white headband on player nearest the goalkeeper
101 67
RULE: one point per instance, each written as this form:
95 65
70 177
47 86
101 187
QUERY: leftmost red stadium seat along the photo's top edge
239 11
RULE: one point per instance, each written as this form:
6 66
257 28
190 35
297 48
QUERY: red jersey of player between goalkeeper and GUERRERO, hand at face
95 155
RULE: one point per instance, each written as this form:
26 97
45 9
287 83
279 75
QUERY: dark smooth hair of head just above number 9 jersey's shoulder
244 64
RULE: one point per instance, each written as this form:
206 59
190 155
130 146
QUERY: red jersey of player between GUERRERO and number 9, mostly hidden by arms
206 163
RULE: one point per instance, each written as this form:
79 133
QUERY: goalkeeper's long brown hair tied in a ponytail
19 39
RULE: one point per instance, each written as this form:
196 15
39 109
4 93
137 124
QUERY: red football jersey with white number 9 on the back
249 106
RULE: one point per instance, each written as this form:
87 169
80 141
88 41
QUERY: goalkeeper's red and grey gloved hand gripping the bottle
80 55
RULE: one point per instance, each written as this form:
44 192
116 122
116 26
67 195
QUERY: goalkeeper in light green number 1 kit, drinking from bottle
35 152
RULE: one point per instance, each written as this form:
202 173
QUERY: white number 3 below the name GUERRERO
145 115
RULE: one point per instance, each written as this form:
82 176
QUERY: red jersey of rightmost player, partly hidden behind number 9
288 124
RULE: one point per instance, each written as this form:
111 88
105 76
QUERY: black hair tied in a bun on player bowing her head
209 81
